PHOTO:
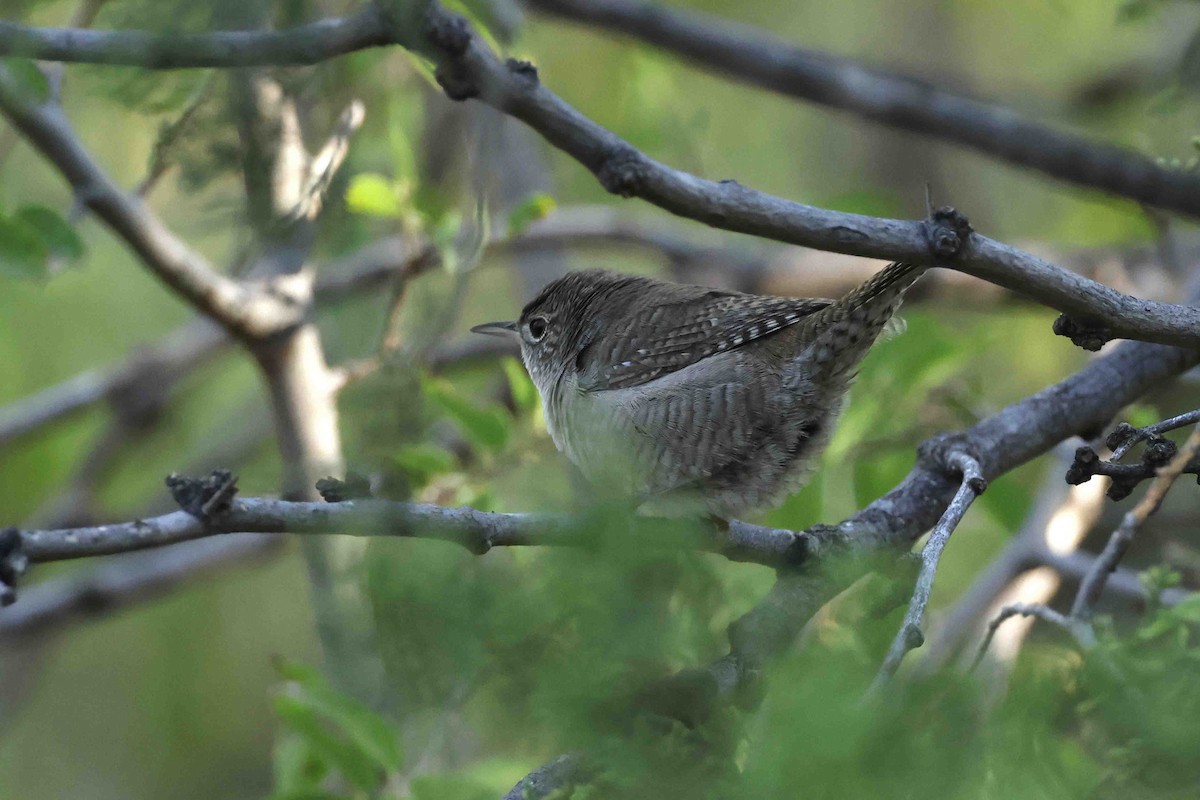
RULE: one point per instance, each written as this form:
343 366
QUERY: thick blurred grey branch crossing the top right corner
755 58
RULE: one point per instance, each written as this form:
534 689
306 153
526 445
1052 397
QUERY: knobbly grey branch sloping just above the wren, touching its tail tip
469 69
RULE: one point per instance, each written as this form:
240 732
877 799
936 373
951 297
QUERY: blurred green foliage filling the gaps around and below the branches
497 664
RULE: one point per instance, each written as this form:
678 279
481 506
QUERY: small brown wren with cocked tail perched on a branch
692 400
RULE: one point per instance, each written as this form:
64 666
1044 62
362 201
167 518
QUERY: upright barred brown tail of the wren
843 333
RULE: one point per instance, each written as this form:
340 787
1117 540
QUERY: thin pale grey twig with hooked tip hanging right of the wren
910 636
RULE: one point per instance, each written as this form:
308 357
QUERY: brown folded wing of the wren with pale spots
662 339
